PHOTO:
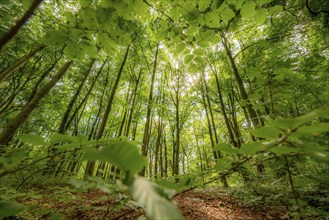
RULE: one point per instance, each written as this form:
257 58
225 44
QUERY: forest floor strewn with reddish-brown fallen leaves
95 204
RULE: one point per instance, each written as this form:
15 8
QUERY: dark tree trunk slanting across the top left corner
19 24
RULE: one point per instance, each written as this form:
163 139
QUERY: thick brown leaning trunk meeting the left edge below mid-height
13 125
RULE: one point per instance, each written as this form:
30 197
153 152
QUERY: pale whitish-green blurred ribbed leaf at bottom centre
157 207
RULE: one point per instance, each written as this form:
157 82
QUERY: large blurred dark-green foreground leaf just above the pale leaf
121 154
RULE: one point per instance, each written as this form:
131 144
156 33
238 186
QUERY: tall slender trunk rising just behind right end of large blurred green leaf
148 114
